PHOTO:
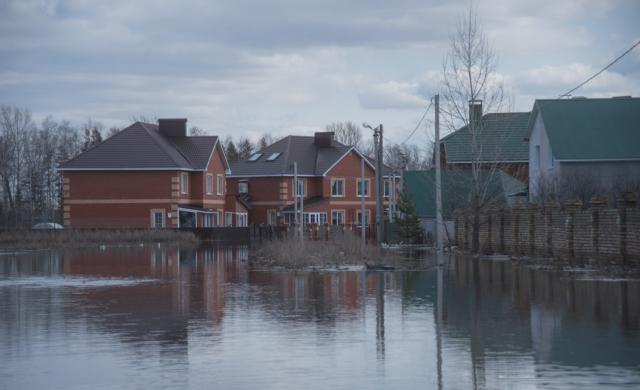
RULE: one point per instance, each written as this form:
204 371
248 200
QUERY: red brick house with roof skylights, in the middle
328 177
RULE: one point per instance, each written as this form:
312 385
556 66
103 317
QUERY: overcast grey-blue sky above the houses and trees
245 67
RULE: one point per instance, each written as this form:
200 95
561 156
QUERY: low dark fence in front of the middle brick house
311 231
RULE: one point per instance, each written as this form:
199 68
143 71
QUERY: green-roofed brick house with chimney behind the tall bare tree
501 141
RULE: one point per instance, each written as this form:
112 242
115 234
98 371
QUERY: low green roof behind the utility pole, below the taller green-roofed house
456 193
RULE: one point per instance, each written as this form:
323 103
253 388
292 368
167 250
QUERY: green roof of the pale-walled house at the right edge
591 129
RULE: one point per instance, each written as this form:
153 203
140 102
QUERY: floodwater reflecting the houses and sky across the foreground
154 317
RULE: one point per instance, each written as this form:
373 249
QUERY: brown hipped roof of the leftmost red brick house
141 146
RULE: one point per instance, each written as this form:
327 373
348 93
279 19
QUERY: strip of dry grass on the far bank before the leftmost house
40 239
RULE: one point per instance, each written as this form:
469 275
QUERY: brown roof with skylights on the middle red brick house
312 160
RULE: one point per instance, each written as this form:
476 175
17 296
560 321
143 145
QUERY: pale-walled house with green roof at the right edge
584 142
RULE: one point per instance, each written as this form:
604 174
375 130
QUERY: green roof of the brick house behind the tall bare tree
502 138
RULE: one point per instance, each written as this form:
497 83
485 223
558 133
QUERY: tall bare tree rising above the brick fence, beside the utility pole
469 78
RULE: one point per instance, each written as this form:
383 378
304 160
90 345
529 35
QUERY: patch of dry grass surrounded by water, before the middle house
340 250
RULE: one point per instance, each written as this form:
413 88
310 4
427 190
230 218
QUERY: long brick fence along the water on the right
553 230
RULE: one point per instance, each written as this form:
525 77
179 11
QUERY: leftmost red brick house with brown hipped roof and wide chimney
150 176
